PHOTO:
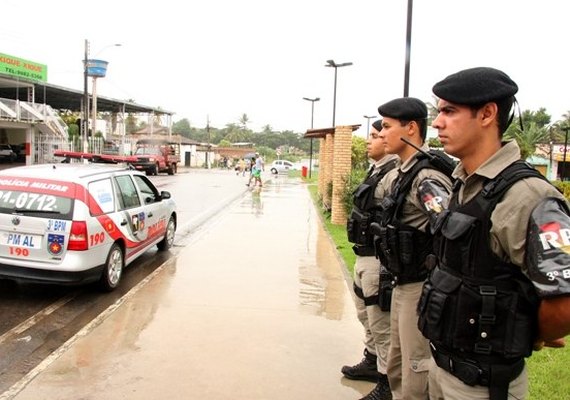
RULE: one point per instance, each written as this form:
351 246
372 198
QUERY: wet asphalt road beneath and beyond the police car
37 319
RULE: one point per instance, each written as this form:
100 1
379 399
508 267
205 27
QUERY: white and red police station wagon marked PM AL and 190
79 223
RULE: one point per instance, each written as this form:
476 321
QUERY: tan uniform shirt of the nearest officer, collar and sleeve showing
511 216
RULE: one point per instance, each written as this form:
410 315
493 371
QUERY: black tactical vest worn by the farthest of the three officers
362 214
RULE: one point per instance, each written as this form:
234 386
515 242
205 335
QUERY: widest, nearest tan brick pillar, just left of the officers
341 167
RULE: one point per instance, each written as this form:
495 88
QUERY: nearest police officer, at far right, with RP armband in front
502 282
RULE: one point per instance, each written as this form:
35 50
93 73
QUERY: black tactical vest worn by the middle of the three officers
403 249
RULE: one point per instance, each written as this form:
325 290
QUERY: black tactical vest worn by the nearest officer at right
474 304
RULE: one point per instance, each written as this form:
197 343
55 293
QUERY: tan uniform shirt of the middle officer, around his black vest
414 213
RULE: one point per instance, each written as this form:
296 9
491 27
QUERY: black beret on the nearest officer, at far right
475 86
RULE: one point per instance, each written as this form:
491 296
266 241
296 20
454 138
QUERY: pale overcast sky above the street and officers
219 59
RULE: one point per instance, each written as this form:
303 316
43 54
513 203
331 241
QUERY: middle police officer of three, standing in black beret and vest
412 196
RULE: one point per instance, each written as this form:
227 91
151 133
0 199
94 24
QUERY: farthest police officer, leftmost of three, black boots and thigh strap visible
374 319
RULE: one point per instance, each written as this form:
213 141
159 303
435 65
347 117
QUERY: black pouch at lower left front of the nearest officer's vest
436 307
